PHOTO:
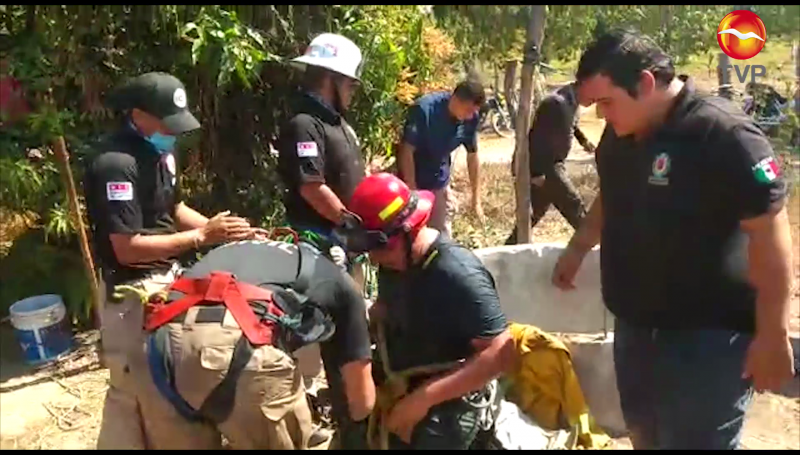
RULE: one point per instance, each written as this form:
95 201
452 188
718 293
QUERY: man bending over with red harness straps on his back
269 410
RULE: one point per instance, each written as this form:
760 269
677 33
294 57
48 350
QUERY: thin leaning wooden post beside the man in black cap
62 157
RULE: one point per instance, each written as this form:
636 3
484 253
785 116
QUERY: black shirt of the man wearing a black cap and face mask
130 189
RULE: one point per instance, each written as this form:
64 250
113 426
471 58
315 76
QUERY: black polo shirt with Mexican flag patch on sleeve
673 254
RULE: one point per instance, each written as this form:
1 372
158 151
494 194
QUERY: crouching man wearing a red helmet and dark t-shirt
437 305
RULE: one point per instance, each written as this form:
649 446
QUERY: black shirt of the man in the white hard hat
317 145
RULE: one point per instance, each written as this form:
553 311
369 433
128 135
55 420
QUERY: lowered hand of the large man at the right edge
769 362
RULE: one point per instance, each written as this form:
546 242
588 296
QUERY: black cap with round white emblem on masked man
159 94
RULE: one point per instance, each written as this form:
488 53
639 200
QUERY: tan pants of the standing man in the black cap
122 340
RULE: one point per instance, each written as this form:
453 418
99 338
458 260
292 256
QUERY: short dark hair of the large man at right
622 55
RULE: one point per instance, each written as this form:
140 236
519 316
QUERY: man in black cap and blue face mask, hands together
140 226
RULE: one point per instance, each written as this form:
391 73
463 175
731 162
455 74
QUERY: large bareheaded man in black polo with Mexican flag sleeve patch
695 248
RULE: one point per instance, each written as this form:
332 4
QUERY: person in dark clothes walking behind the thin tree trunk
549 143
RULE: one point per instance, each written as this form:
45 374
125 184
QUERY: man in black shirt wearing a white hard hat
319 158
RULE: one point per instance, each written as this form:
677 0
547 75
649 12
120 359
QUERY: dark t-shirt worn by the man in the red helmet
438 307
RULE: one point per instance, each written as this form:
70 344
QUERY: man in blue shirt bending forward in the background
436 125
